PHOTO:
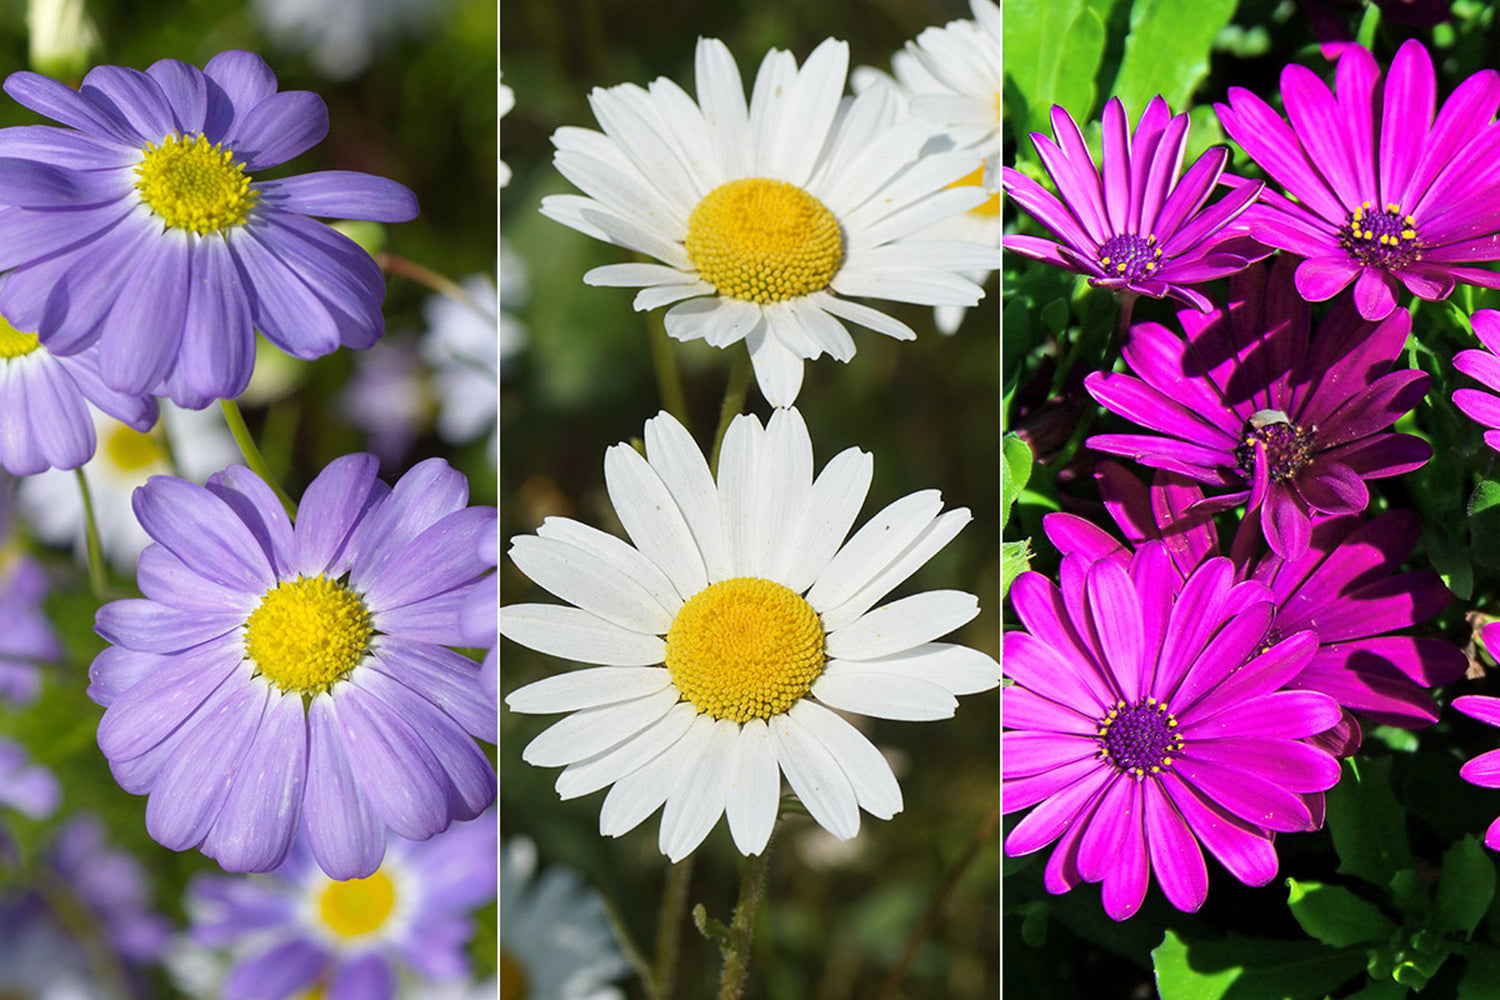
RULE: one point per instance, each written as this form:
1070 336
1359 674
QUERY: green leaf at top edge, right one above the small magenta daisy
1166 52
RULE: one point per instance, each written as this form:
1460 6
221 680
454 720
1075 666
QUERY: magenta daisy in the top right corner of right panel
1378 193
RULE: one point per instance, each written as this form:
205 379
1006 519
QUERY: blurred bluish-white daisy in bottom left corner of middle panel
554 938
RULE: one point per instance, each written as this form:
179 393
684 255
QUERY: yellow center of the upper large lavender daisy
193 185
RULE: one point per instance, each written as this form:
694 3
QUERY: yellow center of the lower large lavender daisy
308 633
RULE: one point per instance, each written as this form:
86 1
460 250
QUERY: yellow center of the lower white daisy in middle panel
745 648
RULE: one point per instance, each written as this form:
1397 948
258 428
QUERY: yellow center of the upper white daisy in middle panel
764 241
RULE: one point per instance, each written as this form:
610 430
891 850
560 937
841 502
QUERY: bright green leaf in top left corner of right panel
1052 53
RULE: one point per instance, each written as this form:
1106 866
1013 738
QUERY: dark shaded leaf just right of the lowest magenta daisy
1367 824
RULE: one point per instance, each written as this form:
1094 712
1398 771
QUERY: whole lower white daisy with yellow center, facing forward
731 629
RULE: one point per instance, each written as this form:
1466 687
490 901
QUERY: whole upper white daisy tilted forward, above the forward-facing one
769 217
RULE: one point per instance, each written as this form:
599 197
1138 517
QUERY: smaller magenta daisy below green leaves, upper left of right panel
1132 224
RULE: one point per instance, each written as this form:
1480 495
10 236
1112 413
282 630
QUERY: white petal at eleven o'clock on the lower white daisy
652 519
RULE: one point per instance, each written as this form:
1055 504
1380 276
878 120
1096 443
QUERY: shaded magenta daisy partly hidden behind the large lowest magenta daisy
1346 590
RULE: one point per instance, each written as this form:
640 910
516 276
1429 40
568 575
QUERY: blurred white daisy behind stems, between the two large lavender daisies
125 460
